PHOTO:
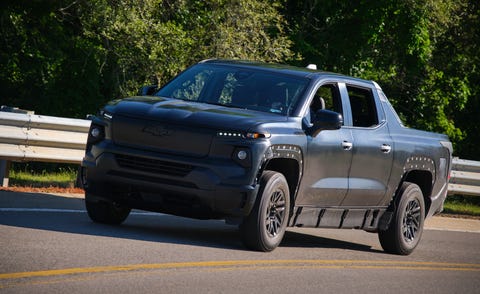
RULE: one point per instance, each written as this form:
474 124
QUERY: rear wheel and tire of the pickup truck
405 230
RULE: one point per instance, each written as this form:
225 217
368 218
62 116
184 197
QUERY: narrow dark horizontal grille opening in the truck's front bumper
153 165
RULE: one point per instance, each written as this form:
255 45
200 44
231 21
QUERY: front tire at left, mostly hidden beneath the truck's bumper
105 212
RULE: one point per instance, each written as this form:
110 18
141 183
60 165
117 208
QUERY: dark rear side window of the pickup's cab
362 103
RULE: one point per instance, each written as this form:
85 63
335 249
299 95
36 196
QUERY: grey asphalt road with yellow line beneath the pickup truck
49 245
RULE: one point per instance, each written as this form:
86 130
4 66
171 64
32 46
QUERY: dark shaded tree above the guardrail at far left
46 65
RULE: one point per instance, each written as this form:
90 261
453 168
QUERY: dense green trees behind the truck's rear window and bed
403 45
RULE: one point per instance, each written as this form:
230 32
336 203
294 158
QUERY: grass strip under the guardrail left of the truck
63 178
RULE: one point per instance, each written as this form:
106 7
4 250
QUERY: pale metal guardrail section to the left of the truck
29 137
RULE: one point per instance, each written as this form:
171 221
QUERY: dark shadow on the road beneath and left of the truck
138 226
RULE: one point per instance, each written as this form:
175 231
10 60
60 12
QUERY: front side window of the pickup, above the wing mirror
326 97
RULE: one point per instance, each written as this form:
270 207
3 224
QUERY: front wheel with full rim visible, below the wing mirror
264 228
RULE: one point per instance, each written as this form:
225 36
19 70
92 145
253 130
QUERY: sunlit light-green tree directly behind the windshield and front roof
160 38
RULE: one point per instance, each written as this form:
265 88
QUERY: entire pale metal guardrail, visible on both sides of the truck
28 137
